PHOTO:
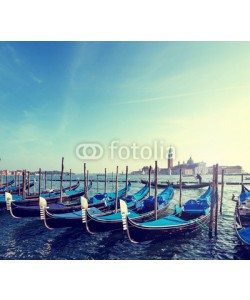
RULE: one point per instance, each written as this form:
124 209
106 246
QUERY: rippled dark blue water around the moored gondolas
28 239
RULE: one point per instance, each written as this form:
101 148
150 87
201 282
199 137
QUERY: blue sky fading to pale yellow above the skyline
57 96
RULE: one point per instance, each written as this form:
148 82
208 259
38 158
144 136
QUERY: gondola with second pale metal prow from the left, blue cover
73 218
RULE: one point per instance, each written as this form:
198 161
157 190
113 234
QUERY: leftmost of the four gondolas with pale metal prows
31 208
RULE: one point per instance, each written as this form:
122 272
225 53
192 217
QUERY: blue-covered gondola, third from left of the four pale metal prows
96 221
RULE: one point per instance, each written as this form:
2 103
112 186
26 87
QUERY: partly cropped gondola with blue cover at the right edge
242 216
